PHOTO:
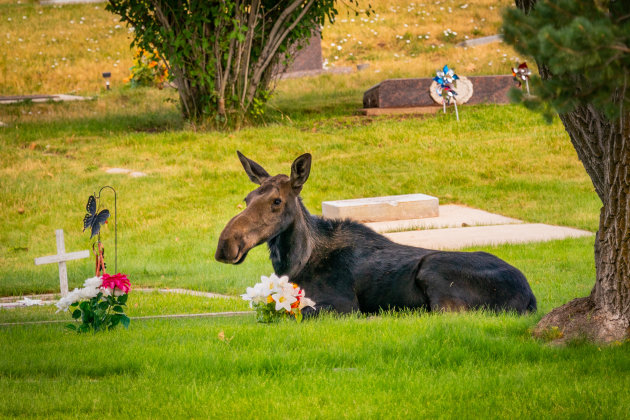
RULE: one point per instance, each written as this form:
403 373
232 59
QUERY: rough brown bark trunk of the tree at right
603 146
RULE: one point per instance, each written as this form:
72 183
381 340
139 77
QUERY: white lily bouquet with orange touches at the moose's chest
275 298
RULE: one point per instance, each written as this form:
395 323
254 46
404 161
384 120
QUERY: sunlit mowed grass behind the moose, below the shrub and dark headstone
499 158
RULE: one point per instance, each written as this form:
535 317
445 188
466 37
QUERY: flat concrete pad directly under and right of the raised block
450 215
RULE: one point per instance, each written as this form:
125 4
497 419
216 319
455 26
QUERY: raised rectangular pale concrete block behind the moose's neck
375 209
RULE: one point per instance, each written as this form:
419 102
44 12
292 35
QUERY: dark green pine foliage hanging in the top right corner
585 48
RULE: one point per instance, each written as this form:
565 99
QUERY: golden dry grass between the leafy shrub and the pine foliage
403 39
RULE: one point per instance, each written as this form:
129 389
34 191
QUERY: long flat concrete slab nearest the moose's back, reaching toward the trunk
456 238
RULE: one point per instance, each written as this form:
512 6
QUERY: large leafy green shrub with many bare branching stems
223 55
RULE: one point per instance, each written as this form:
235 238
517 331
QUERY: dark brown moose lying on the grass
344 266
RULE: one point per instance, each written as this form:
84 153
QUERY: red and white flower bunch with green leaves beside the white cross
100 303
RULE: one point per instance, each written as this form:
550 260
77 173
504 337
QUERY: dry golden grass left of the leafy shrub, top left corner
60 49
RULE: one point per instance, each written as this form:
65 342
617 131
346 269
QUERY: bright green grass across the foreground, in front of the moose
471 365
